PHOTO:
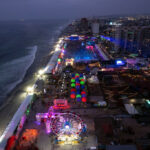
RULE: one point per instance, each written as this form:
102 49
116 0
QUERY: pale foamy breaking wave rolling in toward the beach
12 73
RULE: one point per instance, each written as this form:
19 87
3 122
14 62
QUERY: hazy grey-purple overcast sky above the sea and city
44 9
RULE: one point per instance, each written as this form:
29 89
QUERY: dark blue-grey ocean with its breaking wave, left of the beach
23 46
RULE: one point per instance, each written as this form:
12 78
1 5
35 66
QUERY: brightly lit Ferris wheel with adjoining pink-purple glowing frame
66 126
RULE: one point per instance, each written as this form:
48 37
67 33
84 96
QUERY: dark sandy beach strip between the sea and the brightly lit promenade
15 98
